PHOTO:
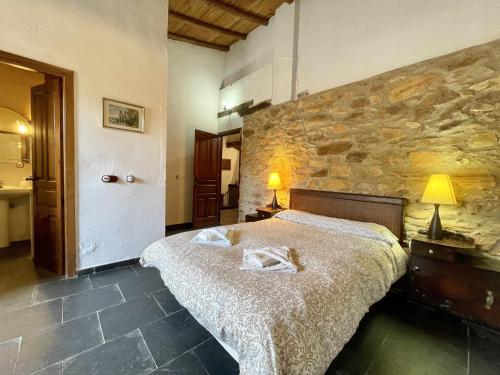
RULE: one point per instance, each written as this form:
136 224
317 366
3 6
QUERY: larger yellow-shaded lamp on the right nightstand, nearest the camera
438 191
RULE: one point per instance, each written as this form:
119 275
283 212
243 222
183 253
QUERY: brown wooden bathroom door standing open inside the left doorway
47 175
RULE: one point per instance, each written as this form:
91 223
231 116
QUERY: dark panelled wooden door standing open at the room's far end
207 167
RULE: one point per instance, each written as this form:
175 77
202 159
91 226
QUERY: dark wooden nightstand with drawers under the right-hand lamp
452 275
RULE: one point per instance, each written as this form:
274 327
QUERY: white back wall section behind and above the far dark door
195 75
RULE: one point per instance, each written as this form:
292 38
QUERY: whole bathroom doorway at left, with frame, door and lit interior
37 222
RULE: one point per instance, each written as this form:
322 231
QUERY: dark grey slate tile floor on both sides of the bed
125 321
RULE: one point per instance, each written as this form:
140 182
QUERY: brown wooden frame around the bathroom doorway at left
68 149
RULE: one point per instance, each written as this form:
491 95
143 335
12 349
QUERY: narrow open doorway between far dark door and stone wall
230 178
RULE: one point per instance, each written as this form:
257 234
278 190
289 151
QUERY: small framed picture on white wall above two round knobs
124 116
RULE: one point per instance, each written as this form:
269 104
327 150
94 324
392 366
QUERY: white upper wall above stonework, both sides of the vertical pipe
342 41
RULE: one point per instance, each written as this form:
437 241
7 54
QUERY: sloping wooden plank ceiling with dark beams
218 23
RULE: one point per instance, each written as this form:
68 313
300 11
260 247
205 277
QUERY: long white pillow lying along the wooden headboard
356 228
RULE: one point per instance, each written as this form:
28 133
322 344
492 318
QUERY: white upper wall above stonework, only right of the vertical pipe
344 41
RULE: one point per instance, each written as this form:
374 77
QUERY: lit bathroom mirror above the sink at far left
15 138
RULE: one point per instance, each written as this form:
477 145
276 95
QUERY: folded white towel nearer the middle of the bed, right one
268 259
